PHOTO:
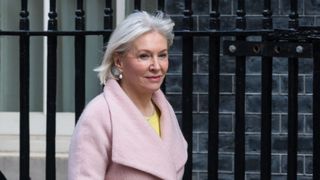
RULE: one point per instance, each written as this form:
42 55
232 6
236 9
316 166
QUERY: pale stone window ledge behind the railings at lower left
10 138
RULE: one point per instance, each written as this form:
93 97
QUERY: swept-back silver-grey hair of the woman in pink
135 25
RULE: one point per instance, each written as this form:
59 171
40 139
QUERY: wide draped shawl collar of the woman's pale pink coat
134 142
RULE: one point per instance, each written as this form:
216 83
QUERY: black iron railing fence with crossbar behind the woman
294 42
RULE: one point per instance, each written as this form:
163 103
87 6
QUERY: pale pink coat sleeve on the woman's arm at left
90 144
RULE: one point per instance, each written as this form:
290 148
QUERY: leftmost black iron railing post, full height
24 93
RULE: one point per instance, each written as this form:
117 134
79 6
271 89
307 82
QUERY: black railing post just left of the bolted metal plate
214 88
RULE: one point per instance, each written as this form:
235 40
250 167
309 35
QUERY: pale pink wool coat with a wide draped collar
113 141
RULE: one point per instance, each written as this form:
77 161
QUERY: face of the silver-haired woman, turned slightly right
144 66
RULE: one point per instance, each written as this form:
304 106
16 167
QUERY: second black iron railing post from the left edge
51 94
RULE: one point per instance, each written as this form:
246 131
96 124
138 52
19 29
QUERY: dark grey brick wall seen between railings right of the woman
309 15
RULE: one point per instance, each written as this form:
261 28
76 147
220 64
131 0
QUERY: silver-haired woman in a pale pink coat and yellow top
130 130
